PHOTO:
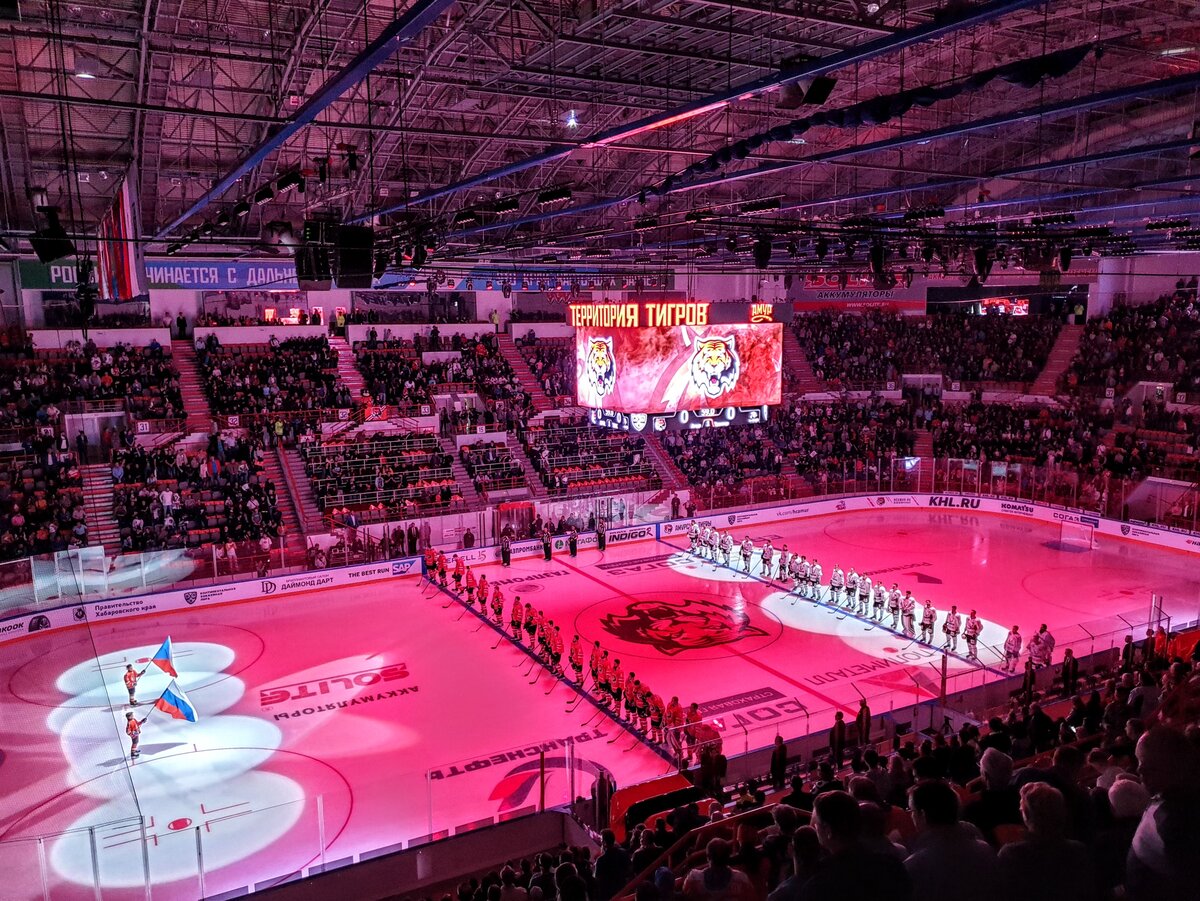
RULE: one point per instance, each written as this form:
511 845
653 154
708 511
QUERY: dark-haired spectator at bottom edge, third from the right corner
950 864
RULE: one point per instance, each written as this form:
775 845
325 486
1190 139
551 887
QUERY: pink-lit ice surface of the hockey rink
345 723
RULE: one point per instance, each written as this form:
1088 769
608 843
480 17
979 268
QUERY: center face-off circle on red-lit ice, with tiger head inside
691 626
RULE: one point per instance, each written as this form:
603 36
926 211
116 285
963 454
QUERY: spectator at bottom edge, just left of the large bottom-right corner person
1047 866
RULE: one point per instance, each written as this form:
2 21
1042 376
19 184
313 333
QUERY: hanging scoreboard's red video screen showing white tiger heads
669 369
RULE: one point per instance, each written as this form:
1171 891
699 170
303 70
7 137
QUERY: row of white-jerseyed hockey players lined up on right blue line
859 594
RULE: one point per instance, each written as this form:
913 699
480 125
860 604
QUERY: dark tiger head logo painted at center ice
676 628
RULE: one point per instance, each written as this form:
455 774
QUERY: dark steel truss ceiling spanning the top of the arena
513 94
